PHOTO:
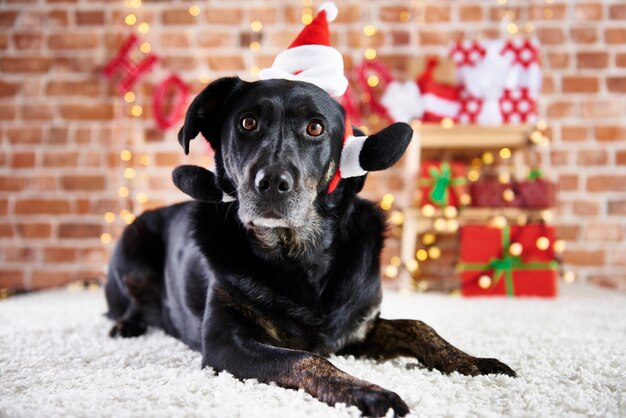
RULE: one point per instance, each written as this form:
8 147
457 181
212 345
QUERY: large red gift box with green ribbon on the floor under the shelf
509 261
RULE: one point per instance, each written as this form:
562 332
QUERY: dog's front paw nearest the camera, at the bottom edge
372 400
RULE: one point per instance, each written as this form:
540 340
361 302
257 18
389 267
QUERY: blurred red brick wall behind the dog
62 126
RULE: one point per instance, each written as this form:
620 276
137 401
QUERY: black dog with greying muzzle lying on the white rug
267 285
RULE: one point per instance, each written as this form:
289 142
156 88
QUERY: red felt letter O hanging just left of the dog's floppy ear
167 120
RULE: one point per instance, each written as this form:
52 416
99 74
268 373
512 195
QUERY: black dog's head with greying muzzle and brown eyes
278 145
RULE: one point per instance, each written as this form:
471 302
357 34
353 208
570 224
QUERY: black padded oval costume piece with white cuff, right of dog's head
383 149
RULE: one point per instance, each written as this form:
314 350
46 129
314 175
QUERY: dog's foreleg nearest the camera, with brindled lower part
228 345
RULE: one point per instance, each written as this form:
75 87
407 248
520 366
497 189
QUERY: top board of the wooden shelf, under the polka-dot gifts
435 136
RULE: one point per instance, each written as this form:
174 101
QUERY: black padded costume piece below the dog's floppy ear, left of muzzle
197 182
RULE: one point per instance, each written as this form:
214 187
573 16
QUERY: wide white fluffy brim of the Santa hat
317 64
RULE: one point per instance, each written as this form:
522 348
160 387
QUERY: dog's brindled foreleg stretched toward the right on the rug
392 338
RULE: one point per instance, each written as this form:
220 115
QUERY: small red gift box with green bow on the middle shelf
442 183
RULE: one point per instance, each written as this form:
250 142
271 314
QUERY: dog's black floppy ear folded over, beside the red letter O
207 110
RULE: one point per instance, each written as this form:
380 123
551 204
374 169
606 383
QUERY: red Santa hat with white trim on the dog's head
310 57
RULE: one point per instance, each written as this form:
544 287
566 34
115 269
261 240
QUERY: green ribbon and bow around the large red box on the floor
504 266
